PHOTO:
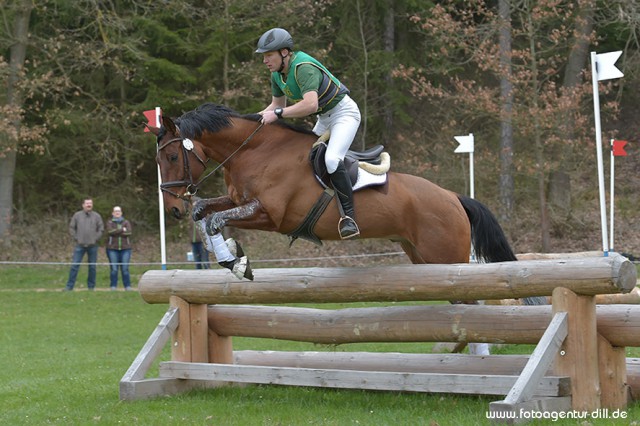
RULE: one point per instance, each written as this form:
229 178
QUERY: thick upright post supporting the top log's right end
578 356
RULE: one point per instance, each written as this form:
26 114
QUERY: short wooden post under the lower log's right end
613 375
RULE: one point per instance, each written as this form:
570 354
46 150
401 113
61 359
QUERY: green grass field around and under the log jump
63 354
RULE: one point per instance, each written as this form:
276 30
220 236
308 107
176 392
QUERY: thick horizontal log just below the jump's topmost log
619 324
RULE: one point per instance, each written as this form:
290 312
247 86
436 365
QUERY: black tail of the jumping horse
489 240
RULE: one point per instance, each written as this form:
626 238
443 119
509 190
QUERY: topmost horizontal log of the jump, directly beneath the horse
503 280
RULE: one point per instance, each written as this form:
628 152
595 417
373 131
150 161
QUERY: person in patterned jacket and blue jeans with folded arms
119 248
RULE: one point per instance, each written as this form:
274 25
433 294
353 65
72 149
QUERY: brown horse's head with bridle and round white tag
182 162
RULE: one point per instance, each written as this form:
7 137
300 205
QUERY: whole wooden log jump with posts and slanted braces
579 361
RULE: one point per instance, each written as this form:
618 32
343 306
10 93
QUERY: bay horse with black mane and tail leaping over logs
271 187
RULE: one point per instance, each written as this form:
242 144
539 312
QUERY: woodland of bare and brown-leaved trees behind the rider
76 76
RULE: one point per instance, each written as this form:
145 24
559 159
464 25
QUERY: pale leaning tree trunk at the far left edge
14 100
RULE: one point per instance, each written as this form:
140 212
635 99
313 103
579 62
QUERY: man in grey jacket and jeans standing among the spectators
86 228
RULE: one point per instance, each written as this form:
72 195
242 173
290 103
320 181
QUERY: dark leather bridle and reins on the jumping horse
187 146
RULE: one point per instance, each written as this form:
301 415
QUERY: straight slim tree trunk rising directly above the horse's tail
506 125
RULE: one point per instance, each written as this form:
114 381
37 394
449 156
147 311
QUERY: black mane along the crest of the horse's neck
213 118
